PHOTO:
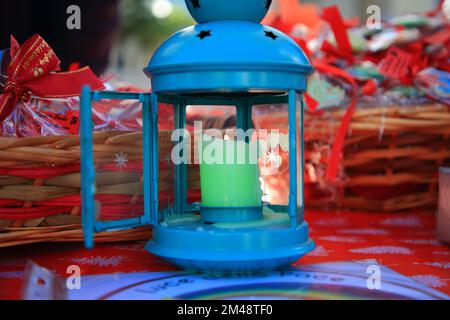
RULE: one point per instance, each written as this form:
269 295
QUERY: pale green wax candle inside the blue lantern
229 174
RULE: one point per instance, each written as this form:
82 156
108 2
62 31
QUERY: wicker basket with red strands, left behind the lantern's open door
40 186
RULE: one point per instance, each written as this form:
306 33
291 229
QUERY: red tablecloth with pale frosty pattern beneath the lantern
405 243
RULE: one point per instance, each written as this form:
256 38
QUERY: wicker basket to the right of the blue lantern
390 162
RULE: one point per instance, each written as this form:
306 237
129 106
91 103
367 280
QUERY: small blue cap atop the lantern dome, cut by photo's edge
212 10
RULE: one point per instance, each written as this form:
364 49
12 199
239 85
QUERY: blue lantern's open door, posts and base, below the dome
266 249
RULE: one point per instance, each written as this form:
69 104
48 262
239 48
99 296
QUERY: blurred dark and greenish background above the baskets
119 36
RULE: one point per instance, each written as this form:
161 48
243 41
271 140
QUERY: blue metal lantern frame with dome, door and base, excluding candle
191 70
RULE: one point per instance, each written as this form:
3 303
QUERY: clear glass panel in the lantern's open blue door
117 156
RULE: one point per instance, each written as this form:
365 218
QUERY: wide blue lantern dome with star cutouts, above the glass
228 56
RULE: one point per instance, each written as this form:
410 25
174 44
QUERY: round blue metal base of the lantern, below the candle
200 247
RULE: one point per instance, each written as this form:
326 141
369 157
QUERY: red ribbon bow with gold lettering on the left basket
32 70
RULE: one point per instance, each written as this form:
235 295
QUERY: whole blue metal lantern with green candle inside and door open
228 59
